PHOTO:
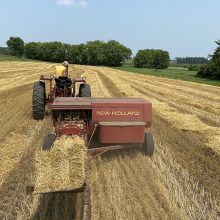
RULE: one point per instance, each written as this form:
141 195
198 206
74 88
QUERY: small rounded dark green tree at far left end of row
16 46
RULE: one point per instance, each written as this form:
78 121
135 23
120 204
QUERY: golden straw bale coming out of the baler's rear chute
62 167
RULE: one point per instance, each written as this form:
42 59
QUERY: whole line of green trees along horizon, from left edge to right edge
111 53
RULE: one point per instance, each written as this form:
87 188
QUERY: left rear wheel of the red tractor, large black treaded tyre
38 101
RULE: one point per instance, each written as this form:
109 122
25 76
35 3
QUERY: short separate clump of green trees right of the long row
150 58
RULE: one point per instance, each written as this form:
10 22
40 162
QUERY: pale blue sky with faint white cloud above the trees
183 27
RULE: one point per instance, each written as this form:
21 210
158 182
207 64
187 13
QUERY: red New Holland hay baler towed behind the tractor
105 123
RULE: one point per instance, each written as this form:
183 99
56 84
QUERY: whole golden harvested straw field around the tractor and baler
181 181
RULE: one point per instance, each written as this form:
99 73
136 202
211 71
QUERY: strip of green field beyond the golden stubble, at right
180 73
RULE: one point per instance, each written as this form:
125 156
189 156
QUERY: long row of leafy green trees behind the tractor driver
111 53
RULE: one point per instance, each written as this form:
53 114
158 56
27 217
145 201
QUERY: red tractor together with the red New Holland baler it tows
105 123
